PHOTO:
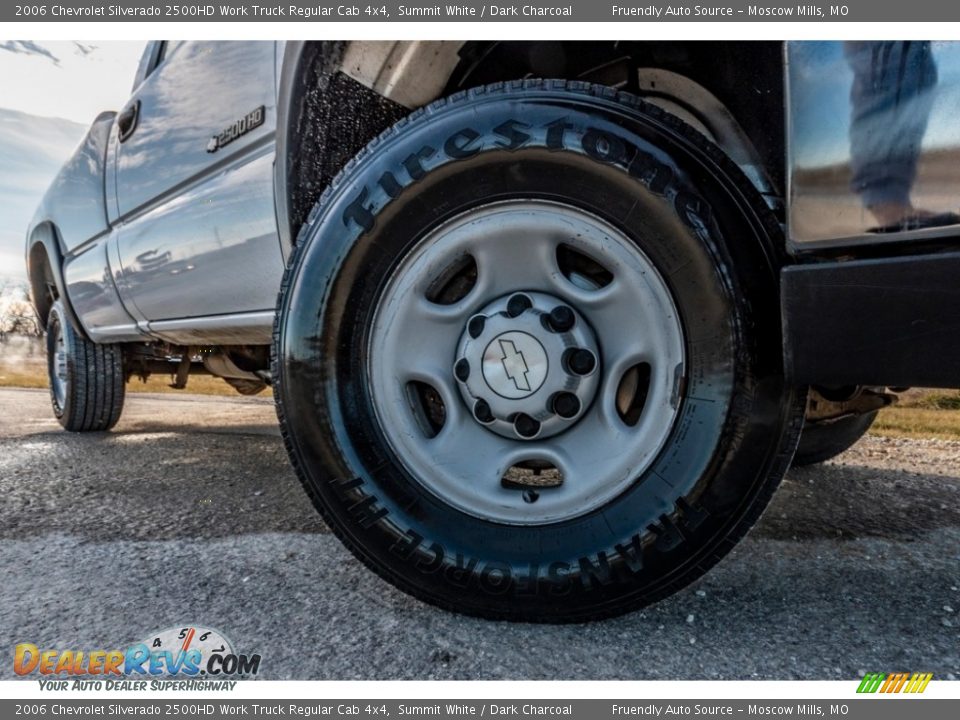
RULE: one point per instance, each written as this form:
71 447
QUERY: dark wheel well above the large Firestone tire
733 88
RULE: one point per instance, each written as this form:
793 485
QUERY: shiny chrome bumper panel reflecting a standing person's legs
874 141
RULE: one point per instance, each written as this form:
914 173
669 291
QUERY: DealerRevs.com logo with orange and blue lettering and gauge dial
185 652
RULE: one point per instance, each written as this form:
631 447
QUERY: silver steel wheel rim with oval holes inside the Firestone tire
525 362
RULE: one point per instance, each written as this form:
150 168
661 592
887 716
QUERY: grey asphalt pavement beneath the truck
188 513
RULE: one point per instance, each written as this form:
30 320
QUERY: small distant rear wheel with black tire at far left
90 398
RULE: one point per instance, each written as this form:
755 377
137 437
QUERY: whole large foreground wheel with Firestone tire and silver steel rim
528 356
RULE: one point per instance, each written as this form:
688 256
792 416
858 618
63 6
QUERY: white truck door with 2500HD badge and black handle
192 178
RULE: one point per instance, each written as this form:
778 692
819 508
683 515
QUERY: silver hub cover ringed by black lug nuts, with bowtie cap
527 366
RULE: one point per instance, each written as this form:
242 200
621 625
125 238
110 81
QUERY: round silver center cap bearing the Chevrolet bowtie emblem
515 365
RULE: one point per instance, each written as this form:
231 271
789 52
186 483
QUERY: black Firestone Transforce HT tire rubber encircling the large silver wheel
705 228
